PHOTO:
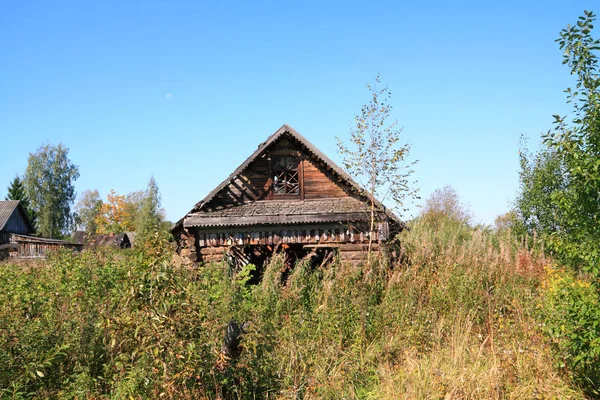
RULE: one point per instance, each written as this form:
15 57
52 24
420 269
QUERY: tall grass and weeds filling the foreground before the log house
456 319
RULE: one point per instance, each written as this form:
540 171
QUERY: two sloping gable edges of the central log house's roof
290 133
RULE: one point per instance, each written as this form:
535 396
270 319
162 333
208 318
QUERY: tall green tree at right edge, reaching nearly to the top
577 144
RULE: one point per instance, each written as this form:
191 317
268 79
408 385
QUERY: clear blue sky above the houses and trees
186 90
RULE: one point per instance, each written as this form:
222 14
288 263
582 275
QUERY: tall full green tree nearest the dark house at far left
49 185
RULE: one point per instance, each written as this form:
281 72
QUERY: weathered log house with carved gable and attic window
286 195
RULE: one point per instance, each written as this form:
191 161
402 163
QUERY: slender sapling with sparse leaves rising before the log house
374 156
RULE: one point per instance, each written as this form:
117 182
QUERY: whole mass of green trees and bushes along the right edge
560 202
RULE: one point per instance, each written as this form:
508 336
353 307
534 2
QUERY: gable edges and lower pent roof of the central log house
251 213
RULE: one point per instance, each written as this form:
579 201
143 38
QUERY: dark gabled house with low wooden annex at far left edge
16 232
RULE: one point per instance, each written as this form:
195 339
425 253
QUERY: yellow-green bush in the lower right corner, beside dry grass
571 306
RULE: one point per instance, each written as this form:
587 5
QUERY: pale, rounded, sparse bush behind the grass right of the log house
445 203
